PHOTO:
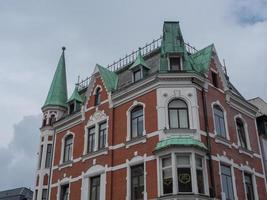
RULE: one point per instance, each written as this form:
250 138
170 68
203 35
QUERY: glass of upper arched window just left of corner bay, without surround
137 122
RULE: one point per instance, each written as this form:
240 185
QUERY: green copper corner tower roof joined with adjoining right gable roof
173 44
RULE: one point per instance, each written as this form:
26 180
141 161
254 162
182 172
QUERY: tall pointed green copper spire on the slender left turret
57 95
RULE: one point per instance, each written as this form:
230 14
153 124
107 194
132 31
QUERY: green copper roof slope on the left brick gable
110 78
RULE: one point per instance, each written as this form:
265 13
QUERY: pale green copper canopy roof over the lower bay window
180 141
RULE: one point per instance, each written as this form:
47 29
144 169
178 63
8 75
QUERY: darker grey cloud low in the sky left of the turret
18 159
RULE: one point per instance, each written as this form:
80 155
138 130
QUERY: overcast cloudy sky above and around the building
33 32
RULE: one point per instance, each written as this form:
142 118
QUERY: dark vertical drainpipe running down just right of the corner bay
204 100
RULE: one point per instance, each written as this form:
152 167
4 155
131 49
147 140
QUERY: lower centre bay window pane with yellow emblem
184 180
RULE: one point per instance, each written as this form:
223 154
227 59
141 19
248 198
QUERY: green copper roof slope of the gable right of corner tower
201 59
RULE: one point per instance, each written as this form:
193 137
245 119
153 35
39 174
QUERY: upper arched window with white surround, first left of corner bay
135 120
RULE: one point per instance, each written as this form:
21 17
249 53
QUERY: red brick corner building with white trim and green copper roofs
165 122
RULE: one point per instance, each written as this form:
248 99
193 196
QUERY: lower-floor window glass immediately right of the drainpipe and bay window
227 184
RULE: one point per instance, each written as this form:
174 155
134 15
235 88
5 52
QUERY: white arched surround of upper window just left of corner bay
128 116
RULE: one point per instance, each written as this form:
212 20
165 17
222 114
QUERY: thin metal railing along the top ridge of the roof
129 59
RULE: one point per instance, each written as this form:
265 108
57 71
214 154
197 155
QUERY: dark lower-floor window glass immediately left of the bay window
137 182
